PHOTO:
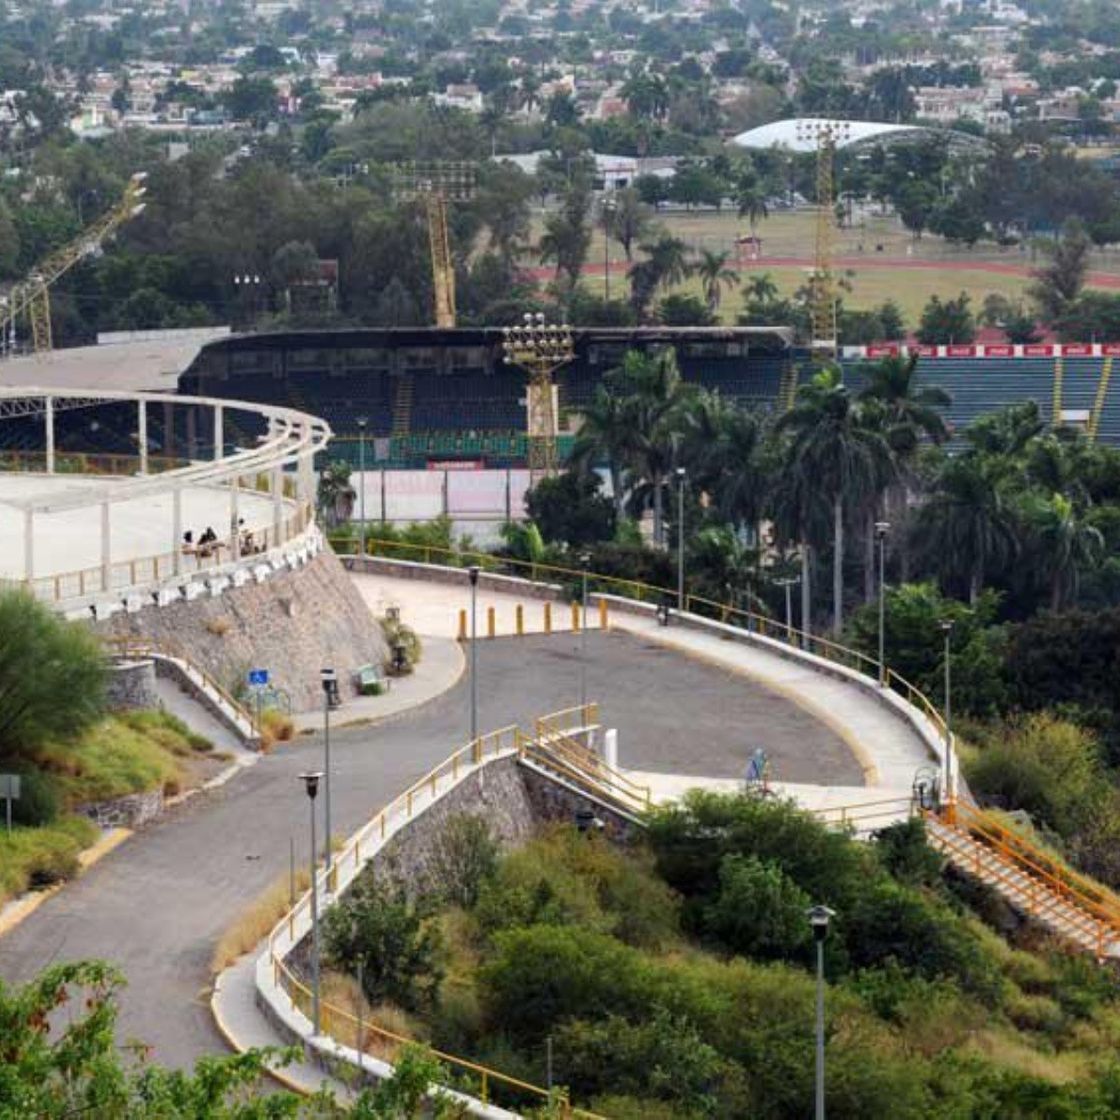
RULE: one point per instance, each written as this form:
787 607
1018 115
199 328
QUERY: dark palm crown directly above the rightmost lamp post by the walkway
968 526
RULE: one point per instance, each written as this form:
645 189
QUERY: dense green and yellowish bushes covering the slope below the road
674 978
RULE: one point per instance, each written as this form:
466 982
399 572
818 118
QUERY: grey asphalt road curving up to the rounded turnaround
158 906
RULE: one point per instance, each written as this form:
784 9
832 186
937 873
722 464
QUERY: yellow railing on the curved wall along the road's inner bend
376 1040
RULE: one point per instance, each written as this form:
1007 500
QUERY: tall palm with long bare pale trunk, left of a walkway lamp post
834 450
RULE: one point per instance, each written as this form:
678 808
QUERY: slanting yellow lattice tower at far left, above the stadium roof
31 298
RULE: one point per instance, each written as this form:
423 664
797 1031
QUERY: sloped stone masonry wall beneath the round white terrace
294 624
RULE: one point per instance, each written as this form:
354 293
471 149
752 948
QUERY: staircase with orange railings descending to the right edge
1074 908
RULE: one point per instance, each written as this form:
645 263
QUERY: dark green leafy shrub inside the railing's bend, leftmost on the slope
391 938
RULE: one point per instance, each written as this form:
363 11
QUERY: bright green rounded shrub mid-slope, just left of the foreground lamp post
759 911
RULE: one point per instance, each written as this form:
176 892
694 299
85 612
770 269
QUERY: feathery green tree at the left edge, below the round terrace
52 676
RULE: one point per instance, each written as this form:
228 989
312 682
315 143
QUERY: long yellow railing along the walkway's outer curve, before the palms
650 593
